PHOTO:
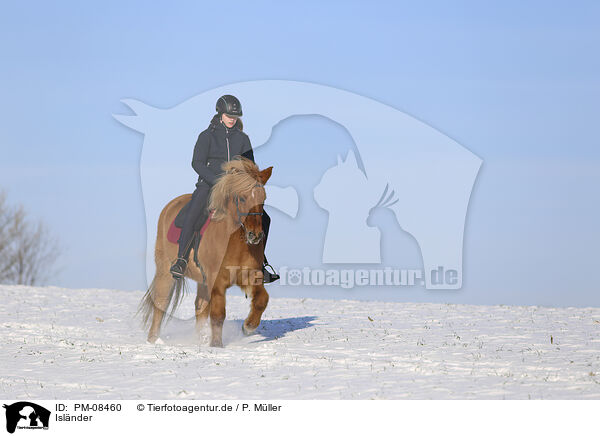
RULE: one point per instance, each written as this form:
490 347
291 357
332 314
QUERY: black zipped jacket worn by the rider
217 145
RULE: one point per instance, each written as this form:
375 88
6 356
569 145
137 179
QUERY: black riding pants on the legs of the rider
197 214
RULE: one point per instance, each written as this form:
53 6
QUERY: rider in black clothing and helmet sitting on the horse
220 142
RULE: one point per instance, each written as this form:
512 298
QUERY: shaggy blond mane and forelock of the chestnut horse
239 177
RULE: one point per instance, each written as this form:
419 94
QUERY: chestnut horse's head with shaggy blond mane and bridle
240 194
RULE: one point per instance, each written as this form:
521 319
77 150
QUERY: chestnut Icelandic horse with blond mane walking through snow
231 252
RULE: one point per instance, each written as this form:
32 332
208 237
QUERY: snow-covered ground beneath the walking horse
86 344
